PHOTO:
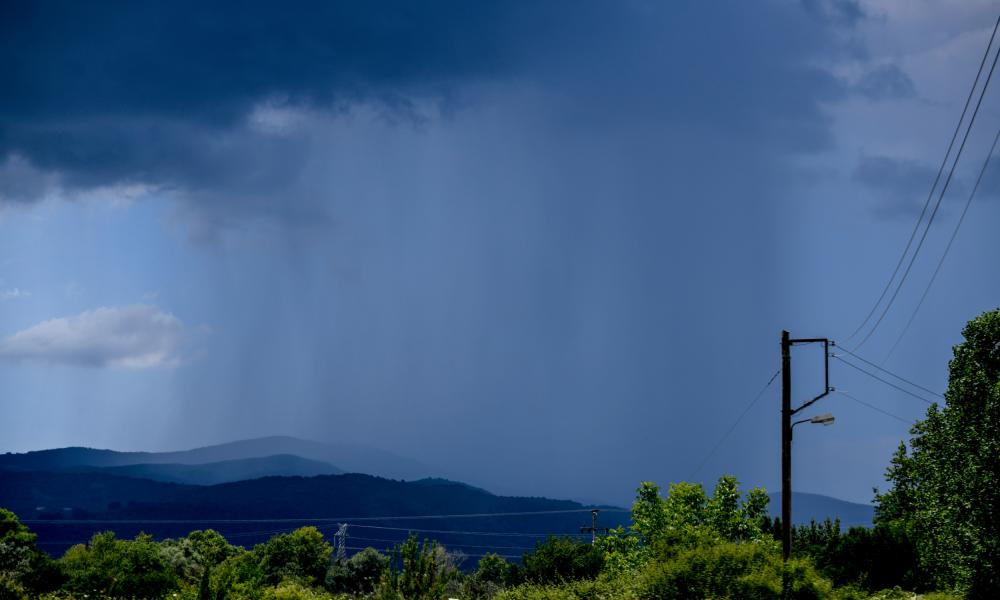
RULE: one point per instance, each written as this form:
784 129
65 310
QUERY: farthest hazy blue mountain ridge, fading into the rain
347 457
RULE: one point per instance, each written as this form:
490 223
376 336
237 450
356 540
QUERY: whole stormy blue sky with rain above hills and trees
543 247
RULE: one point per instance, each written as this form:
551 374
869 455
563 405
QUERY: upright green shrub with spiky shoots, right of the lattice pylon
417 571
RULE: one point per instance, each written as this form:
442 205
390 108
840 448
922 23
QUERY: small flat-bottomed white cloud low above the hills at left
134 336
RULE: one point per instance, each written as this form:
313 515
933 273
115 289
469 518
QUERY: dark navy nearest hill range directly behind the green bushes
68 507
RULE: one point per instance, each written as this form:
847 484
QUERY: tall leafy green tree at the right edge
946 489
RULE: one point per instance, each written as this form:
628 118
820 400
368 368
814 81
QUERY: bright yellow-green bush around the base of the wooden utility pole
743 571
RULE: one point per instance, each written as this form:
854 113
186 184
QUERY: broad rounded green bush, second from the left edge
119 568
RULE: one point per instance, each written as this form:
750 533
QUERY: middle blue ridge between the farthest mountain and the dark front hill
220 472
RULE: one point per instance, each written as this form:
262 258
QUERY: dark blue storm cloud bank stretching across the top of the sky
160 94
